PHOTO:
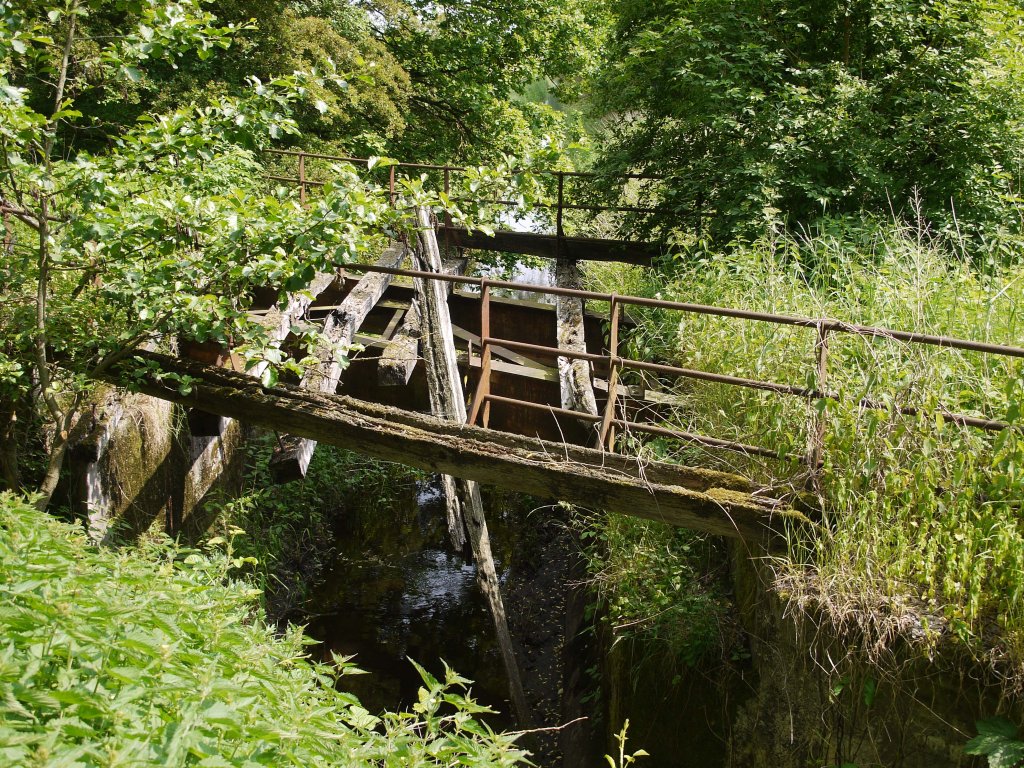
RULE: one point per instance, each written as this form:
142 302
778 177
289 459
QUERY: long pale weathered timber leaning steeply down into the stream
448 402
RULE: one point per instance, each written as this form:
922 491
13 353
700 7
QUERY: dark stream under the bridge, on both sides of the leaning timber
395 591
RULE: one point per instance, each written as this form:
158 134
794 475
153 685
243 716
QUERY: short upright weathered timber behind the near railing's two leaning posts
574 375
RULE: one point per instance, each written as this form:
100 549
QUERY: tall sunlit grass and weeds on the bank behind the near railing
921 529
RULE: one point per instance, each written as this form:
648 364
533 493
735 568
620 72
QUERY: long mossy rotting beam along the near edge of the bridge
702 500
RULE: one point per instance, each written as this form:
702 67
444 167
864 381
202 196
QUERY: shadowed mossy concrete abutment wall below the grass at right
801 694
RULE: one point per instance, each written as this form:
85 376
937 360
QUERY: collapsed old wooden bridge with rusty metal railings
549 405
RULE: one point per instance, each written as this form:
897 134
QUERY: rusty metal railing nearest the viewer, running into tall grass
611 420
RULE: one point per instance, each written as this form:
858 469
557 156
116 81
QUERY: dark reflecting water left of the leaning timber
397 592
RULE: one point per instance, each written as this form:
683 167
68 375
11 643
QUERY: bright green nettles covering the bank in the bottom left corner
157 658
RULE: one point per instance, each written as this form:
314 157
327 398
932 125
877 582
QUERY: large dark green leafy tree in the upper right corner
767 114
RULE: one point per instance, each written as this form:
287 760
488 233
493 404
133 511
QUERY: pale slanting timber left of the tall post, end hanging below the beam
291 457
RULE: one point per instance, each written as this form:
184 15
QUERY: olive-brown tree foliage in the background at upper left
274 39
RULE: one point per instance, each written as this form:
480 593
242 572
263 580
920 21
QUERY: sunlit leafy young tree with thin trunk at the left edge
169 231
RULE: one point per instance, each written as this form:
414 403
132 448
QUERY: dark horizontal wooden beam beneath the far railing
582 249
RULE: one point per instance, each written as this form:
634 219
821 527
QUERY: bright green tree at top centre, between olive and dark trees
467 62
